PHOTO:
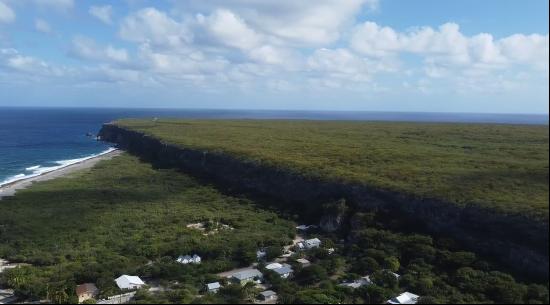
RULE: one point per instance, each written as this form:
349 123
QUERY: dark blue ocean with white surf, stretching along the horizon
36 140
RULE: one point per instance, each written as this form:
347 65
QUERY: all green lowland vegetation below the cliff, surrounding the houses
124 217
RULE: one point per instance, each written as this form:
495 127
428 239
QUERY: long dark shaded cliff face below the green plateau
516 241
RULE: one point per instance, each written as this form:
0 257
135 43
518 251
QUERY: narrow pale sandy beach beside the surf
11 189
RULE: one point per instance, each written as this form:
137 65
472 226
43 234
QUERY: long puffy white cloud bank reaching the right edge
448 46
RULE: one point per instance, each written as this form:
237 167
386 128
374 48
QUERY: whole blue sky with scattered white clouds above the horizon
486 56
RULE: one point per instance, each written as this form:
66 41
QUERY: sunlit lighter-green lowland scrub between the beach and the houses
124 217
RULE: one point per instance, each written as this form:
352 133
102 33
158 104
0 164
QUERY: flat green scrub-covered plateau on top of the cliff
504 167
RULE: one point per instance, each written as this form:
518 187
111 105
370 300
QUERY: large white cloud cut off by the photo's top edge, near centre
300 23
